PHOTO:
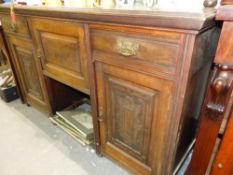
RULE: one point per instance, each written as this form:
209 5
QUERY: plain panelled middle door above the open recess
63 51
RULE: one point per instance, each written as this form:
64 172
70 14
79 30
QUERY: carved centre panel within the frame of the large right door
131 113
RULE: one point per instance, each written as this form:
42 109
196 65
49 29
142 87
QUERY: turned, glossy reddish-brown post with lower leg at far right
213 111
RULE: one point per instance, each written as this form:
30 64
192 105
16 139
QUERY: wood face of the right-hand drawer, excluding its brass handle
158 51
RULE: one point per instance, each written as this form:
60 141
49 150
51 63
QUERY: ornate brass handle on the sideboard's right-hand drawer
127 48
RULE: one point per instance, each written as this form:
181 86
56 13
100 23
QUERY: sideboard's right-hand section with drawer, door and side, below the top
121 96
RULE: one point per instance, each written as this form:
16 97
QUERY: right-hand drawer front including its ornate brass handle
146 50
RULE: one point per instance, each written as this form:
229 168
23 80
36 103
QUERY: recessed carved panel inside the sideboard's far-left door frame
28 68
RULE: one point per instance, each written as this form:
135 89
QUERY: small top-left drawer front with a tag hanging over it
21 27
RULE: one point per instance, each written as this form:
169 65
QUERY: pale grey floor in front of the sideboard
31 145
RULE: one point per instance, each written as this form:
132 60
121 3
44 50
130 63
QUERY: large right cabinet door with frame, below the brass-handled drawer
134 111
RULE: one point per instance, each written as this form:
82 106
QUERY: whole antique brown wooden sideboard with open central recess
144 71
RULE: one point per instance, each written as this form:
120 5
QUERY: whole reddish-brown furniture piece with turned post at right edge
217 106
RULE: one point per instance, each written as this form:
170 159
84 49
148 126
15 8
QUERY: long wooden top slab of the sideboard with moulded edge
150 18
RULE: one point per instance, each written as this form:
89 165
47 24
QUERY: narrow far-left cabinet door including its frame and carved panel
28 71
